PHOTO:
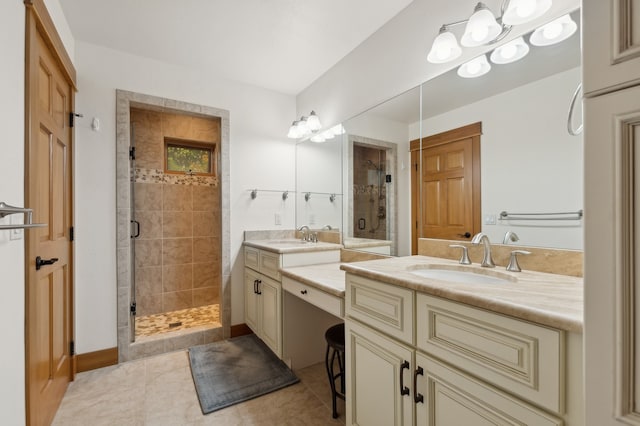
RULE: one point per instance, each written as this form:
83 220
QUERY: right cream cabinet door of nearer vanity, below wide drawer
451 398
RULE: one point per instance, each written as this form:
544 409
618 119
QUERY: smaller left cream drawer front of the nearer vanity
385 307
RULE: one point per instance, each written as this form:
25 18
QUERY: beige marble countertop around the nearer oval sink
547 299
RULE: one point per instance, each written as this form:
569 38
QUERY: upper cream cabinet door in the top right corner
611 40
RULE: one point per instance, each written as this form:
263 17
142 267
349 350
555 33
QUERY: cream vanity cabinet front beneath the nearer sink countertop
413 358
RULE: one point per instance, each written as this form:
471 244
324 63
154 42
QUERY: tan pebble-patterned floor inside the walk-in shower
185 319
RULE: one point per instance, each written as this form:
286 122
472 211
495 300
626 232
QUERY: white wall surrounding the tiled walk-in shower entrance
261 157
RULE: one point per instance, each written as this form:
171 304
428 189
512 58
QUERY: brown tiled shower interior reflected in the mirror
368 197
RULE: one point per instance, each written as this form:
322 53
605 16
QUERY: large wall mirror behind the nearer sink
528 162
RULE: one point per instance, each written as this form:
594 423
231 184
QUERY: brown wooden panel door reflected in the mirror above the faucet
446 170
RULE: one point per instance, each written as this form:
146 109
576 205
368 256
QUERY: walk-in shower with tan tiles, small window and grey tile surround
175 290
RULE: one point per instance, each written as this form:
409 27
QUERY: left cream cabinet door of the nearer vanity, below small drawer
379 389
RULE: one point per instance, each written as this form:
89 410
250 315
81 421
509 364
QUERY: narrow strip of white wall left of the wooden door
12 192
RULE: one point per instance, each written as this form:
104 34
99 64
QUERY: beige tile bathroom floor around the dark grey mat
159 391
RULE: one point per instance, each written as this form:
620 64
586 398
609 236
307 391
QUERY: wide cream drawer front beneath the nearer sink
525 358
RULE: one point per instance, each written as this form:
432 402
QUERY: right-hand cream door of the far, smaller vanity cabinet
270 295
